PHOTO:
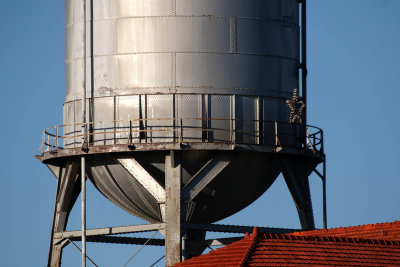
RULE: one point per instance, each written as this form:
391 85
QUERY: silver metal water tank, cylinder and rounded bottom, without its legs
215 73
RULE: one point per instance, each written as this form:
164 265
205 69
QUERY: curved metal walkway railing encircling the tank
170 130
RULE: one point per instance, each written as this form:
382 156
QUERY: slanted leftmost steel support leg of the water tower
68 189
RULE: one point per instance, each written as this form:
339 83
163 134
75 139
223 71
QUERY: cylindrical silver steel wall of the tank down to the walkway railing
225 59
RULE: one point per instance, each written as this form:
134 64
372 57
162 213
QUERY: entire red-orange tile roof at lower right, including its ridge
318 247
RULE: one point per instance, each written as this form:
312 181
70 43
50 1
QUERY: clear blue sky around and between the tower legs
354 92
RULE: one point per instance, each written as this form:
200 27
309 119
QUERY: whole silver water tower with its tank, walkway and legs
182 113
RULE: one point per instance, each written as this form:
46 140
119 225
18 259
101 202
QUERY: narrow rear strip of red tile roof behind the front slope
385 231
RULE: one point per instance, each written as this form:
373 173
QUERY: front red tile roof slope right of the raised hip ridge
281 250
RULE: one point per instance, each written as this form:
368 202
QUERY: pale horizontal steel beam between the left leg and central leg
112 230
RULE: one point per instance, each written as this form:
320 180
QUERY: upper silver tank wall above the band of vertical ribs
197 46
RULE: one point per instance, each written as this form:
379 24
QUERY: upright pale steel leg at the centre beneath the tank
173 180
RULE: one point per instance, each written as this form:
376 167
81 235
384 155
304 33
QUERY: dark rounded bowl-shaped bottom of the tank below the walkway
137 189
